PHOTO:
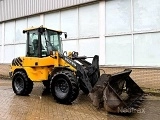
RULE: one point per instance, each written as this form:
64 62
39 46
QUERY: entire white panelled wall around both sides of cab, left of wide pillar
81 23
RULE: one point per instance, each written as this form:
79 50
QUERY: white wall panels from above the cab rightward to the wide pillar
81 24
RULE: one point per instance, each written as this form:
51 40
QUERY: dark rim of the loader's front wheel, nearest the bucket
61 88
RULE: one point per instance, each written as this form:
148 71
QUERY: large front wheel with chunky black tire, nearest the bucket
64 87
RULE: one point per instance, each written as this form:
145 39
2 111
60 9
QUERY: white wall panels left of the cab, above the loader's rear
14 40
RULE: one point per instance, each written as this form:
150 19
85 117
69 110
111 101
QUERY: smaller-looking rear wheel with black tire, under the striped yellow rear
21 84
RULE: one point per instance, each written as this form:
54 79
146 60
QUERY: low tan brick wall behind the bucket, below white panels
144 77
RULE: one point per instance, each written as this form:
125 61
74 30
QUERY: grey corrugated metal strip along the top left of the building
10 9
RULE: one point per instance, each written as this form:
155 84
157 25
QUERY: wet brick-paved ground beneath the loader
38 106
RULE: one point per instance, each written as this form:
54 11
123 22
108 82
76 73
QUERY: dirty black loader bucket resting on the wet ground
122 94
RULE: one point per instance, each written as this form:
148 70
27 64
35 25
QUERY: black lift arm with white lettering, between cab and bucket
85 72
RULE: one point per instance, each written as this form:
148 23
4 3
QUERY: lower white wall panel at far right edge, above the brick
147 49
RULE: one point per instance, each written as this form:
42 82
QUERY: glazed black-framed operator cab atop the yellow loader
42 41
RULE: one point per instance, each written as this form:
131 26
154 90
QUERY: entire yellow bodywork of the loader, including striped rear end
38 69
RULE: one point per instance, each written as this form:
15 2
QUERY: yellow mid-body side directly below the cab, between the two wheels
38 69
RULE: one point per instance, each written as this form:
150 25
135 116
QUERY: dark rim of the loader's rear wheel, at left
19 84
